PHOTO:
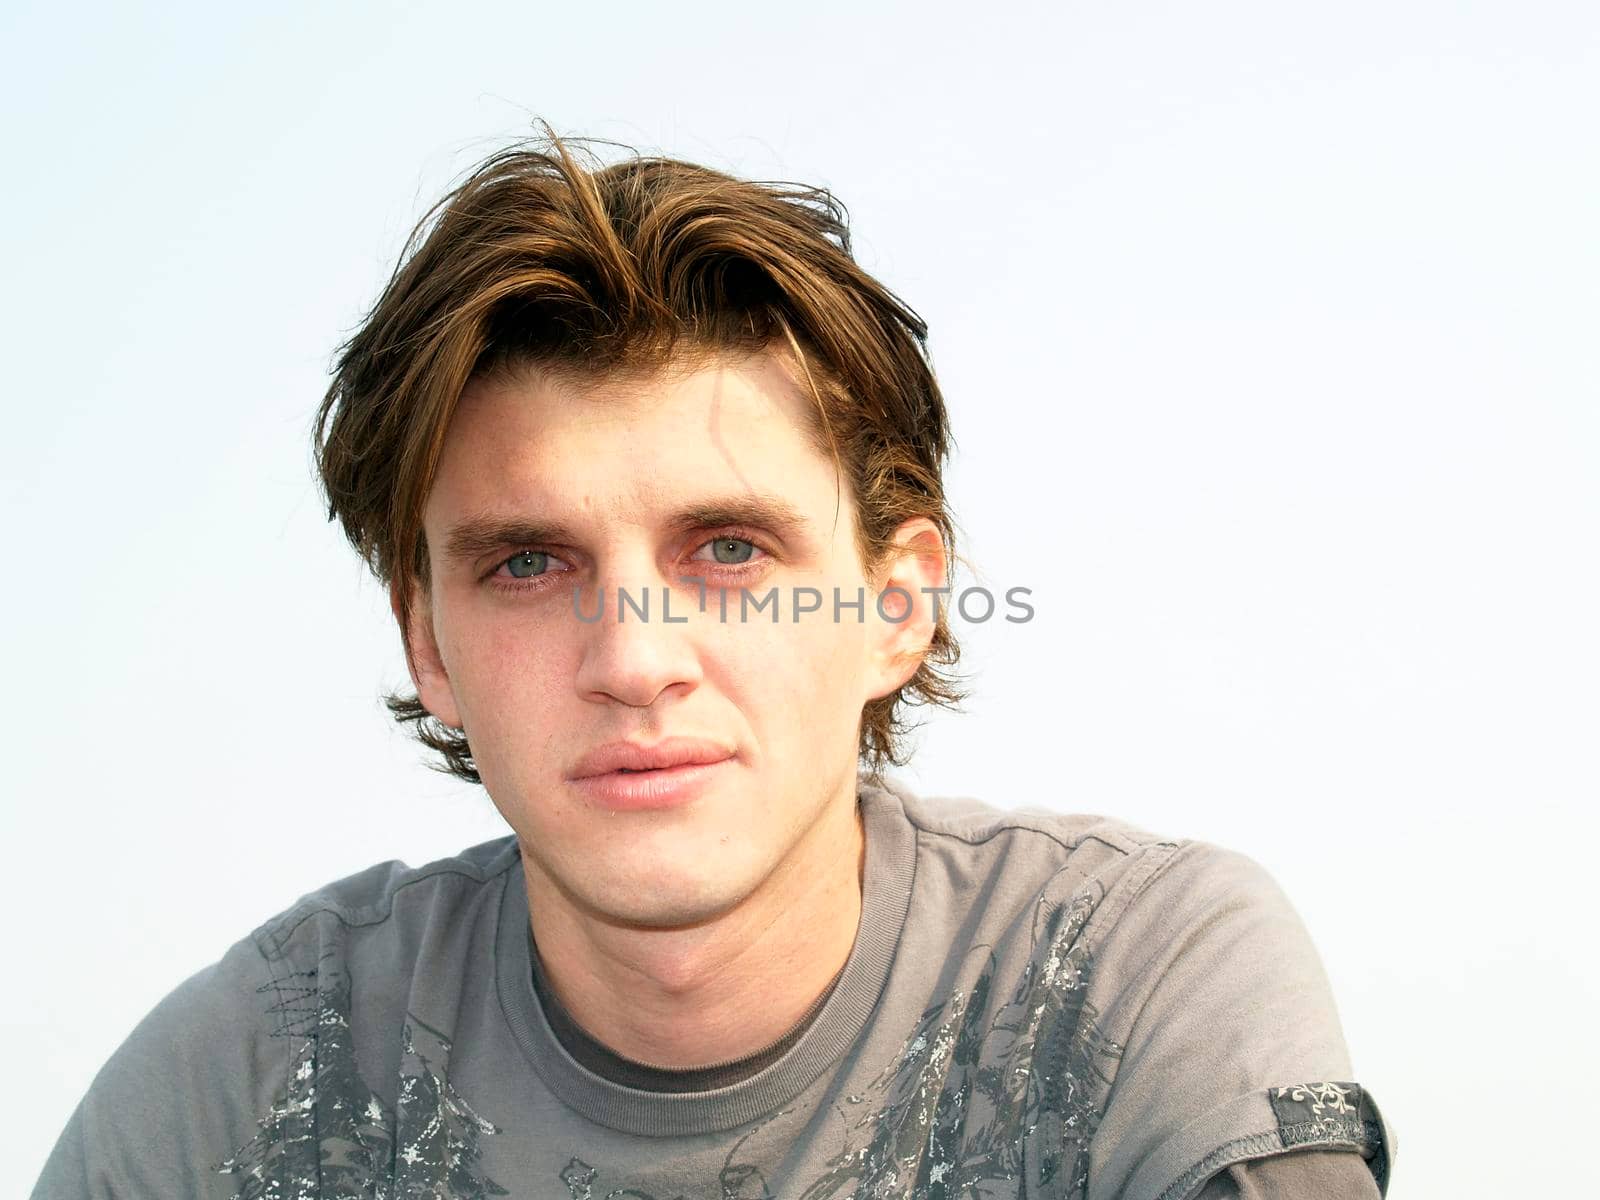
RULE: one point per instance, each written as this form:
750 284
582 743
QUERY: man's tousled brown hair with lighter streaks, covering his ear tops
633 268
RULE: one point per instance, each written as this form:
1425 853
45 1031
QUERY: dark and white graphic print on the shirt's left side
330 1135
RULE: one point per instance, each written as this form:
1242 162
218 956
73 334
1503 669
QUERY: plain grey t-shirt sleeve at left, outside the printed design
180 1094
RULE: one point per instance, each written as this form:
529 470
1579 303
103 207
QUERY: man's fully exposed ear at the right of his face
903 615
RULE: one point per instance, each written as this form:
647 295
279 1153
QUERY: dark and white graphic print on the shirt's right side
980 1103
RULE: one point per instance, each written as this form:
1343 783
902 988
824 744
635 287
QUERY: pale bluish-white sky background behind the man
1270 340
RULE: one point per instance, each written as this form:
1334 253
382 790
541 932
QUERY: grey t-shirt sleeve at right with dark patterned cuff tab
1231 1044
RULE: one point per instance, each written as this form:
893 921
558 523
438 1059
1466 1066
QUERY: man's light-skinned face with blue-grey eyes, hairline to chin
641 484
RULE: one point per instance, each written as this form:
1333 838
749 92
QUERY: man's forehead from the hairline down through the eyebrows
527 466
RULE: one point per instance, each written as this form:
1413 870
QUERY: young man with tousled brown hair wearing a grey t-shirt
652 471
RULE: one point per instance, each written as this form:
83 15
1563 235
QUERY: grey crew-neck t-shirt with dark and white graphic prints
1036 1006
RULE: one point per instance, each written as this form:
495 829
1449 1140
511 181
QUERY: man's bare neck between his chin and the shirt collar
721 991
